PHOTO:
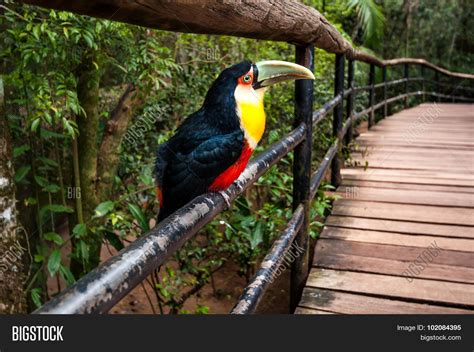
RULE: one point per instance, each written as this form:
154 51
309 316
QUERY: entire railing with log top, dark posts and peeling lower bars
283 20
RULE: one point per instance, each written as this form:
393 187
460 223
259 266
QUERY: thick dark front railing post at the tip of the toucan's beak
302 172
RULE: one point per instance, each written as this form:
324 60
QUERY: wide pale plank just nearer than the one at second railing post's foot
392 211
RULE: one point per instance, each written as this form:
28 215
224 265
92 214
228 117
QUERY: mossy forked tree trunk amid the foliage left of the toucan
98 162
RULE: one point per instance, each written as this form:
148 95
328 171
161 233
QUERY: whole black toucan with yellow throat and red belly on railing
213 145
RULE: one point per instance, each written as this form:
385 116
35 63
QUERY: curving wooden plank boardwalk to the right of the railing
401 237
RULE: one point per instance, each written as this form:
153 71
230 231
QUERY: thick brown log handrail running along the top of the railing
276 20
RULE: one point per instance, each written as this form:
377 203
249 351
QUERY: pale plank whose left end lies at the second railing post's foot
420 197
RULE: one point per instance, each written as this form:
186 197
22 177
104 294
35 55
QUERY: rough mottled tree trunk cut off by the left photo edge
12 238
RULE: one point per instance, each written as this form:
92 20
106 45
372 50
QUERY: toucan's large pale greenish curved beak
274 71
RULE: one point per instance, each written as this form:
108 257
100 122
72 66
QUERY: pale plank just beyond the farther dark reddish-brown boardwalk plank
397 239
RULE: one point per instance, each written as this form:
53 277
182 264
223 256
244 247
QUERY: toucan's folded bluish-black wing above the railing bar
190 161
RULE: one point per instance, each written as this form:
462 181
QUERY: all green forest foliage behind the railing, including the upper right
42 52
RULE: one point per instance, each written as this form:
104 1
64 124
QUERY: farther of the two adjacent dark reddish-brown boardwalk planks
408 254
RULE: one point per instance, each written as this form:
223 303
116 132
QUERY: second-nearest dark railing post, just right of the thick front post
337 119
